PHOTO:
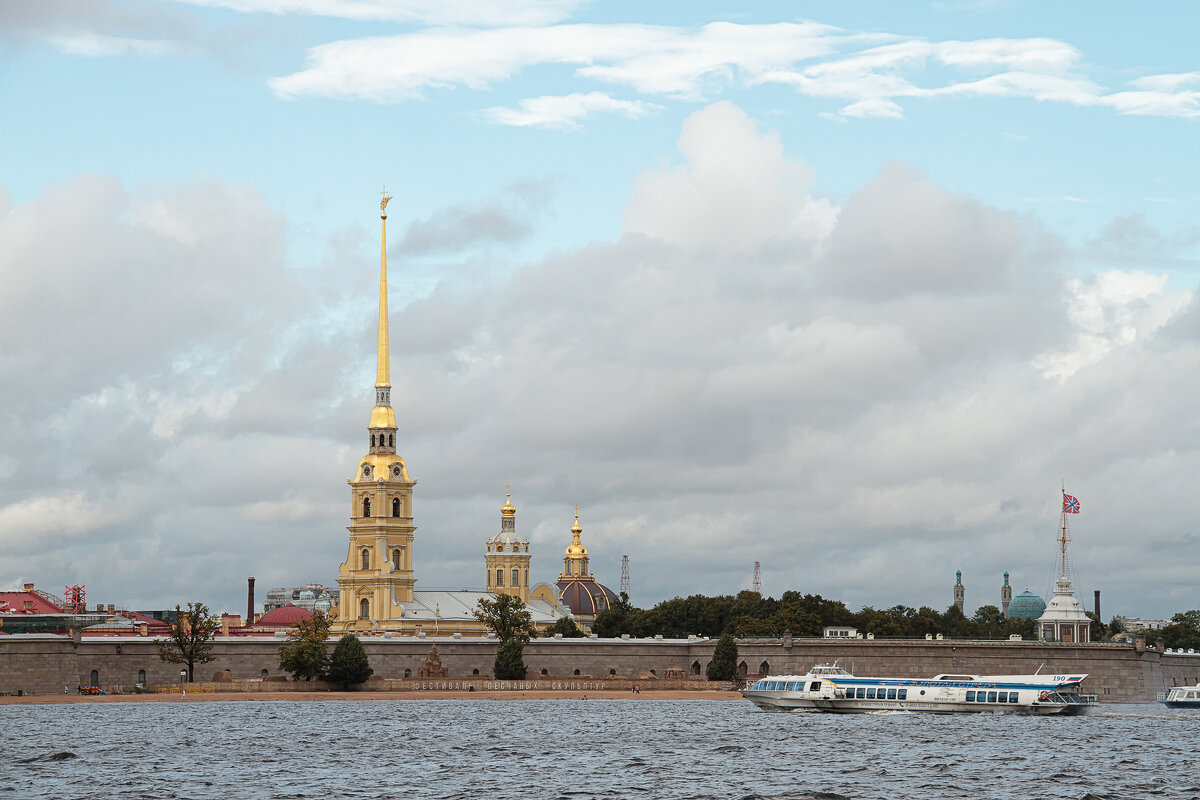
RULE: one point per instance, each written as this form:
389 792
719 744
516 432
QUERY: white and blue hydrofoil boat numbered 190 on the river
844 694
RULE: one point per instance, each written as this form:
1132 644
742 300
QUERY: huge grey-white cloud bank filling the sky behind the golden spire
907 378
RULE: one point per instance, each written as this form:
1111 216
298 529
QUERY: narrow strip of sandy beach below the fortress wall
269 697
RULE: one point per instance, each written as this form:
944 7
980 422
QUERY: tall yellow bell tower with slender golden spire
377 576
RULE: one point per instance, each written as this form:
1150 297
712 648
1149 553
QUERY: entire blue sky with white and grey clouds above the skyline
853 291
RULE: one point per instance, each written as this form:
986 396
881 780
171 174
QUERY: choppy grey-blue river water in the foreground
585 749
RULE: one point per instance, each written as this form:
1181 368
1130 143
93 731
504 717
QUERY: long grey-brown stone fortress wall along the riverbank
44 664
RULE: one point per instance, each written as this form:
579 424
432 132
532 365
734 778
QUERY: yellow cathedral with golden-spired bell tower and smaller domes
377 584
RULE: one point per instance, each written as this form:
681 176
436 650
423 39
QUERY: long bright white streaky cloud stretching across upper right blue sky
871 73
